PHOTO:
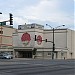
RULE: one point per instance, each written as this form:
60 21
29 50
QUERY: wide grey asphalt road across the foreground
36 67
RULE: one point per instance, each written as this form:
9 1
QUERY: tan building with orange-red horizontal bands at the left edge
6 40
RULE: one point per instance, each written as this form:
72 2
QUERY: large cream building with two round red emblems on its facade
24 42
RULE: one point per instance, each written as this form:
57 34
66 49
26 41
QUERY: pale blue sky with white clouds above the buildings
52 12
